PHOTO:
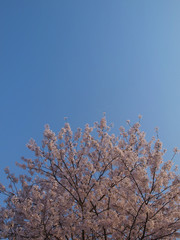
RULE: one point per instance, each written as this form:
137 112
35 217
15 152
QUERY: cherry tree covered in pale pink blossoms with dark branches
93 185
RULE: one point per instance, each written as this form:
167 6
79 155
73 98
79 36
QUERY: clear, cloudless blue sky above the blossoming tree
78 59
